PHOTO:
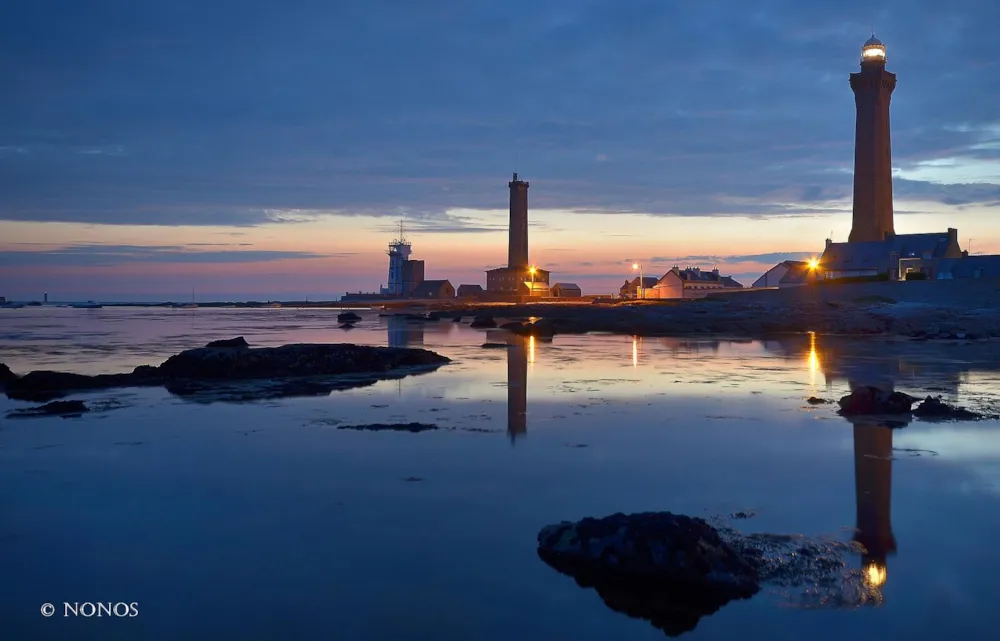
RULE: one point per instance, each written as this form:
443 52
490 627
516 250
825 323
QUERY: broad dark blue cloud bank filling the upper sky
240 120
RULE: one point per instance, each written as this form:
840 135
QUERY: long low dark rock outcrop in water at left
245 373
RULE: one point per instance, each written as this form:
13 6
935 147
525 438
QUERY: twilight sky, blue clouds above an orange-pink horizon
267 150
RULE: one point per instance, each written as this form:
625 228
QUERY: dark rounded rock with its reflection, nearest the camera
668 568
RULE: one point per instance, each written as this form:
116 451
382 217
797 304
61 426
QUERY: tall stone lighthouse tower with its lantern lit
872 88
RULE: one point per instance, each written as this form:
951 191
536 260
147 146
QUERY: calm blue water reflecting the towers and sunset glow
264 521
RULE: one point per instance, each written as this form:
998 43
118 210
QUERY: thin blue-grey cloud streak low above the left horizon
88 255
